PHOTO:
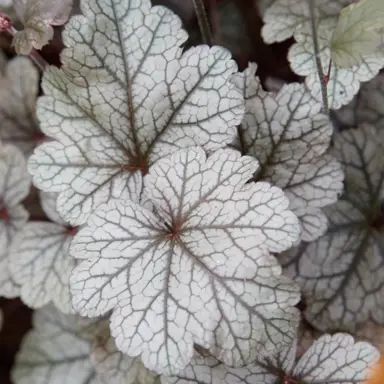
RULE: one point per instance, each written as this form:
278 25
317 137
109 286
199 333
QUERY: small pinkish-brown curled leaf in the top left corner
37 17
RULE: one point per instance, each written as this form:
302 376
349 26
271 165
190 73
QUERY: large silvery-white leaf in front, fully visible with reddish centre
199 271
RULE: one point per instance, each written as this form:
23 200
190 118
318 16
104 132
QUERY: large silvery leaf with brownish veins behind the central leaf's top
114 115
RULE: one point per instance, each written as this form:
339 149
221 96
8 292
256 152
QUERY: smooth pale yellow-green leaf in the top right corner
357 32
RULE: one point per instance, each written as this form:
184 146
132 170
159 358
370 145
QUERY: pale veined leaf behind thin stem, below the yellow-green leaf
344 83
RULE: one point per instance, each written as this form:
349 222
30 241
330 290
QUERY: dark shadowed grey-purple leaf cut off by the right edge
342 273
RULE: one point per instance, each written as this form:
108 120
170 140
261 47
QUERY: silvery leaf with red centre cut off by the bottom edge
331 359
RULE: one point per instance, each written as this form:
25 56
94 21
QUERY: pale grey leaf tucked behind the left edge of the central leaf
39 260
